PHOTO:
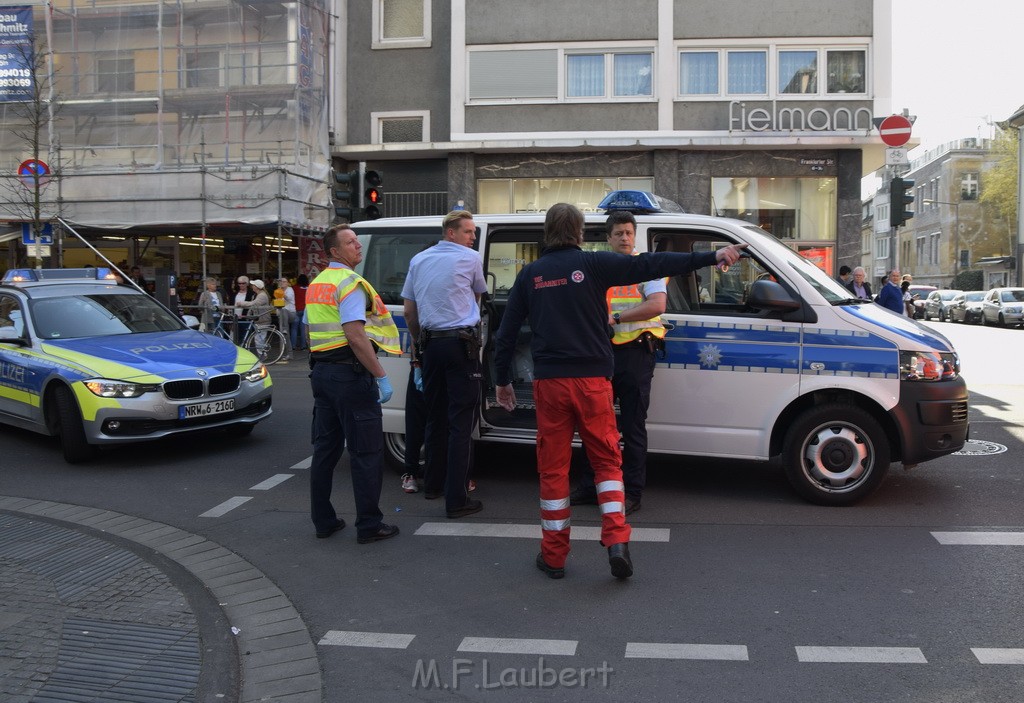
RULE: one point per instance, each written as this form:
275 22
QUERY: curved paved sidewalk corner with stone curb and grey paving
100 606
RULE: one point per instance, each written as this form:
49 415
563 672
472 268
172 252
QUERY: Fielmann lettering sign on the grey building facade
746 117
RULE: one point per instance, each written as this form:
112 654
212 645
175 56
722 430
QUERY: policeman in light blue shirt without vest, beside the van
443 311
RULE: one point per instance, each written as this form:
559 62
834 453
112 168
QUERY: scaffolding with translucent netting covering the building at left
180 118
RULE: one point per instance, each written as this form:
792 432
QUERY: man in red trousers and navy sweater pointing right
563 294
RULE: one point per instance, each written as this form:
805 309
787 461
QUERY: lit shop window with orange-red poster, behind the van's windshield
788 208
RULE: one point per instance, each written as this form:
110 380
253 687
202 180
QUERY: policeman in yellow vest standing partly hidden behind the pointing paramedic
633 315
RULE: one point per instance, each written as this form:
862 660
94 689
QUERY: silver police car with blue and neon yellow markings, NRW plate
97 364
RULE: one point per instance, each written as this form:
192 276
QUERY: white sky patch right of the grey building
956 66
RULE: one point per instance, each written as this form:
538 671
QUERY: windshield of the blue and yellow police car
100 316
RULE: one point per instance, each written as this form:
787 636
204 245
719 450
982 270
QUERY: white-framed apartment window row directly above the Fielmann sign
774 71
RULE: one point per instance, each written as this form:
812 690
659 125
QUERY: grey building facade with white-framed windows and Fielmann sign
758 112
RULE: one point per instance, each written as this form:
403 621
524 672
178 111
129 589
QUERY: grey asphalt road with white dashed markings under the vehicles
742 593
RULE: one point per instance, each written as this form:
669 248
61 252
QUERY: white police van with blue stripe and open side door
769 360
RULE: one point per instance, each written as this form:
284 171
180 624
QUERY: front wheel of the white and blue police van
835 455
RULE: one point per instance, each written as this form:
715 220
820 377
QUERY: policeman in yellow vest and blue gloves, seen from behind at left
349 323
